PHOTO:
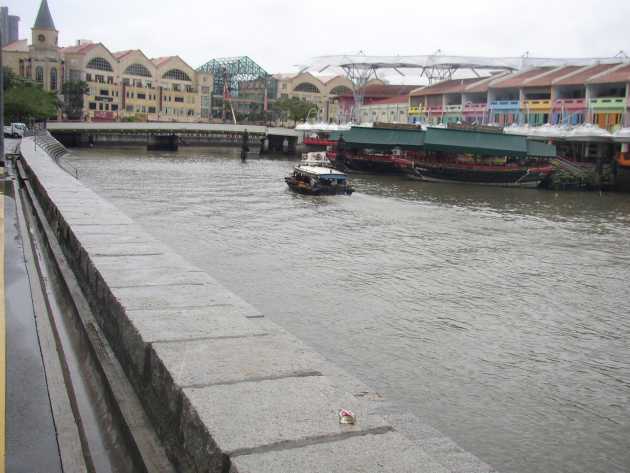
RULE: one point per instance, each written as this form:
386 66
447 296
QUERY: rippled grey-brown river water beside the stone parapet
499 316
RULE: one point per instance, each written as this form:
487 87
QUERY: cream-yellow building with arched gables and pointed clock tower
124 85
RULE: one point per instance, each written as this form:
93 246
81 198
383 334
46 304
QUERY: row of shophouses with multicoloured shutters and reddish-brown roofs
571 95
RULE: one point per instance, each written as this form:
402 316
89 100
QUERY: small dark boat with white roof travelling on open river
316 176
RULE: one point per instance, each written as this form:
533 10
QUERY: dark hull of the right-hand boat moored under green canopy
520 177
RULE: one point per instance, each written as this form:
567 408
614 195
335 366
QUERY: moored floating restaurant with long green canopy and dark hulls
475 156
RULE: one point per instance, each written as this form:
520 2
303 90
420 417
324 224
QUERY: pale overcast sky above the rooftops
279 34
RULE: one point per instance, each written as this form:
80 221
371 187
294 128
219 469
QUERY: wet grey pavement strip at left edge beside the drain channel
31 441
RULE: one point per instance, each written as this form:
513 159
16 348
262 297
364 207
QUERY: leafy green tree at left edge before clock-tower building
25 101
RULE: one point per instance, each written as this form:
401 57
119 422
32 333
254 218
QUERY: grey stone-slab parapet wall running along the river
226 389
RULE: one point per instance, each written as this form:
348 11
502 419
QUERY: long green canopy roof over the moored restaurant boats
446 139
